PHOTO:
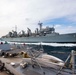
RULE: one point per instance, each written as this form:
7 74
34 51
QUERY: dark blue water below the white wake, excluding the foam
61 52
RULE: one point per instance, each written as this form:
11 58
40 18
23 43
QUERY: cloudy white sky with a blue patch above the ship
27 13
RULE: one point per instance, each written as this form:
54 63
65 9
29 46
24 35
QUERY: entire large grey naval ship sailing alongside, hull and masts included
45 35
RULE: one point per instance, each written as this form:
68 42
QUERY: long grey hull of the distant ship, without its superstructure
49 38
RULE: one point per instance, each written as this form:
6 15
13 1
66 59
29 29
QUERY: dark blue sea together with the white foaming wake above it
59 50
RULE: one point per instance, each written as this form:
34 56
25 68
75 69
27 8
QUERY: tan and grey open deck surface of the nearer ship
29 70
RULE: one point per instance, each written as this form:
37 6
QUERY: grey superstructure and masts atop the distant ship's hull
40 32
